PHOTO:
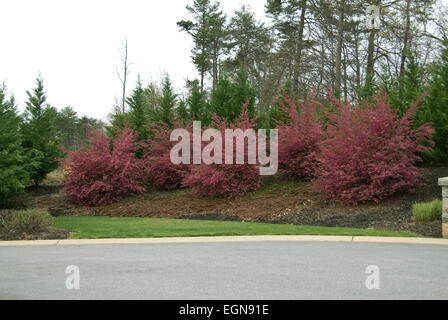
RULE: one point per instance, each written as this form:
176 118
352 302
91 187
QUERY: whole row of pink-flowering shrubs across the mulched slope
352 154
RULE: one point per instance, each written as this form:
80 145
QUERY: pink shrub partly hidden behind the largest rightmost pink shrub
298 136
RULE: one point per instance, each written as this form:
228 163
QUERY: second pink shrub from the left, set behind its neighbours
161 172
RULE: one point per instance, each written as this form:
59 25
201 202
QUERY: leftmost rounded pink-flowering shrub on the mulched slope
105 172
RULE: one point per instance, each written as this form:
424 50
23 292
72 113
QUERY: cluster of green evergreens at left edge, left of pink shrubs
30 142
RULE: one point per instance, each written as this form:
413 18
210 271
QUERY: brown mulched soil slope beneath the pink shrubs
279 201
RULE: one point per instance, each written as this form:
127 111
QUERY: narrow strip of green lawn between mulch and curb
105 227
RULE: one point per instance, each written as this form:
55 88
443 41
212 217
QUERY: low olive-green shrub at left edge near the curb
25 221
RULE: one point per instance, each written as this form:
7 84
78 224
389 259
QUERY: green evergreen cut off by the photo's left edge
13 162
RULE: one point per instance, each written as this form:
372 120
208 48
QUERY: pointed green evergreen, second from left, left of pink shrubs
40 138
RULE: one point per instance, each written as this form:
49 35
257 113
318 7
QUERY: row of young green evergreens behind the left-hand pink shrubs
224 100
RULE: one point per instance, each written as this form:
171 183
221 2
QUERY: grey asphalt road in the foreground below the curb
266 270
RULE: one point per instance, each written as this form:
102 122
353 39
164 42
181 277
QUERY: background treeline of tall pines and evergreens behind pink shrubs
304 46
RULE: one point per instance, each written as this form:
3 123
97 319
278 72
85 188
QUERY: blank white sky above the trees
76 44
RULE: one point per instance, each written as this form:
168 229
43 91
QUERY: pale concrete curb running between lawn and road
350 239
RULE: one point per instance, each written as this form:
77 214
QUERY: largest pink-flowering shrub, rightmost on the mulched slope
370 153
